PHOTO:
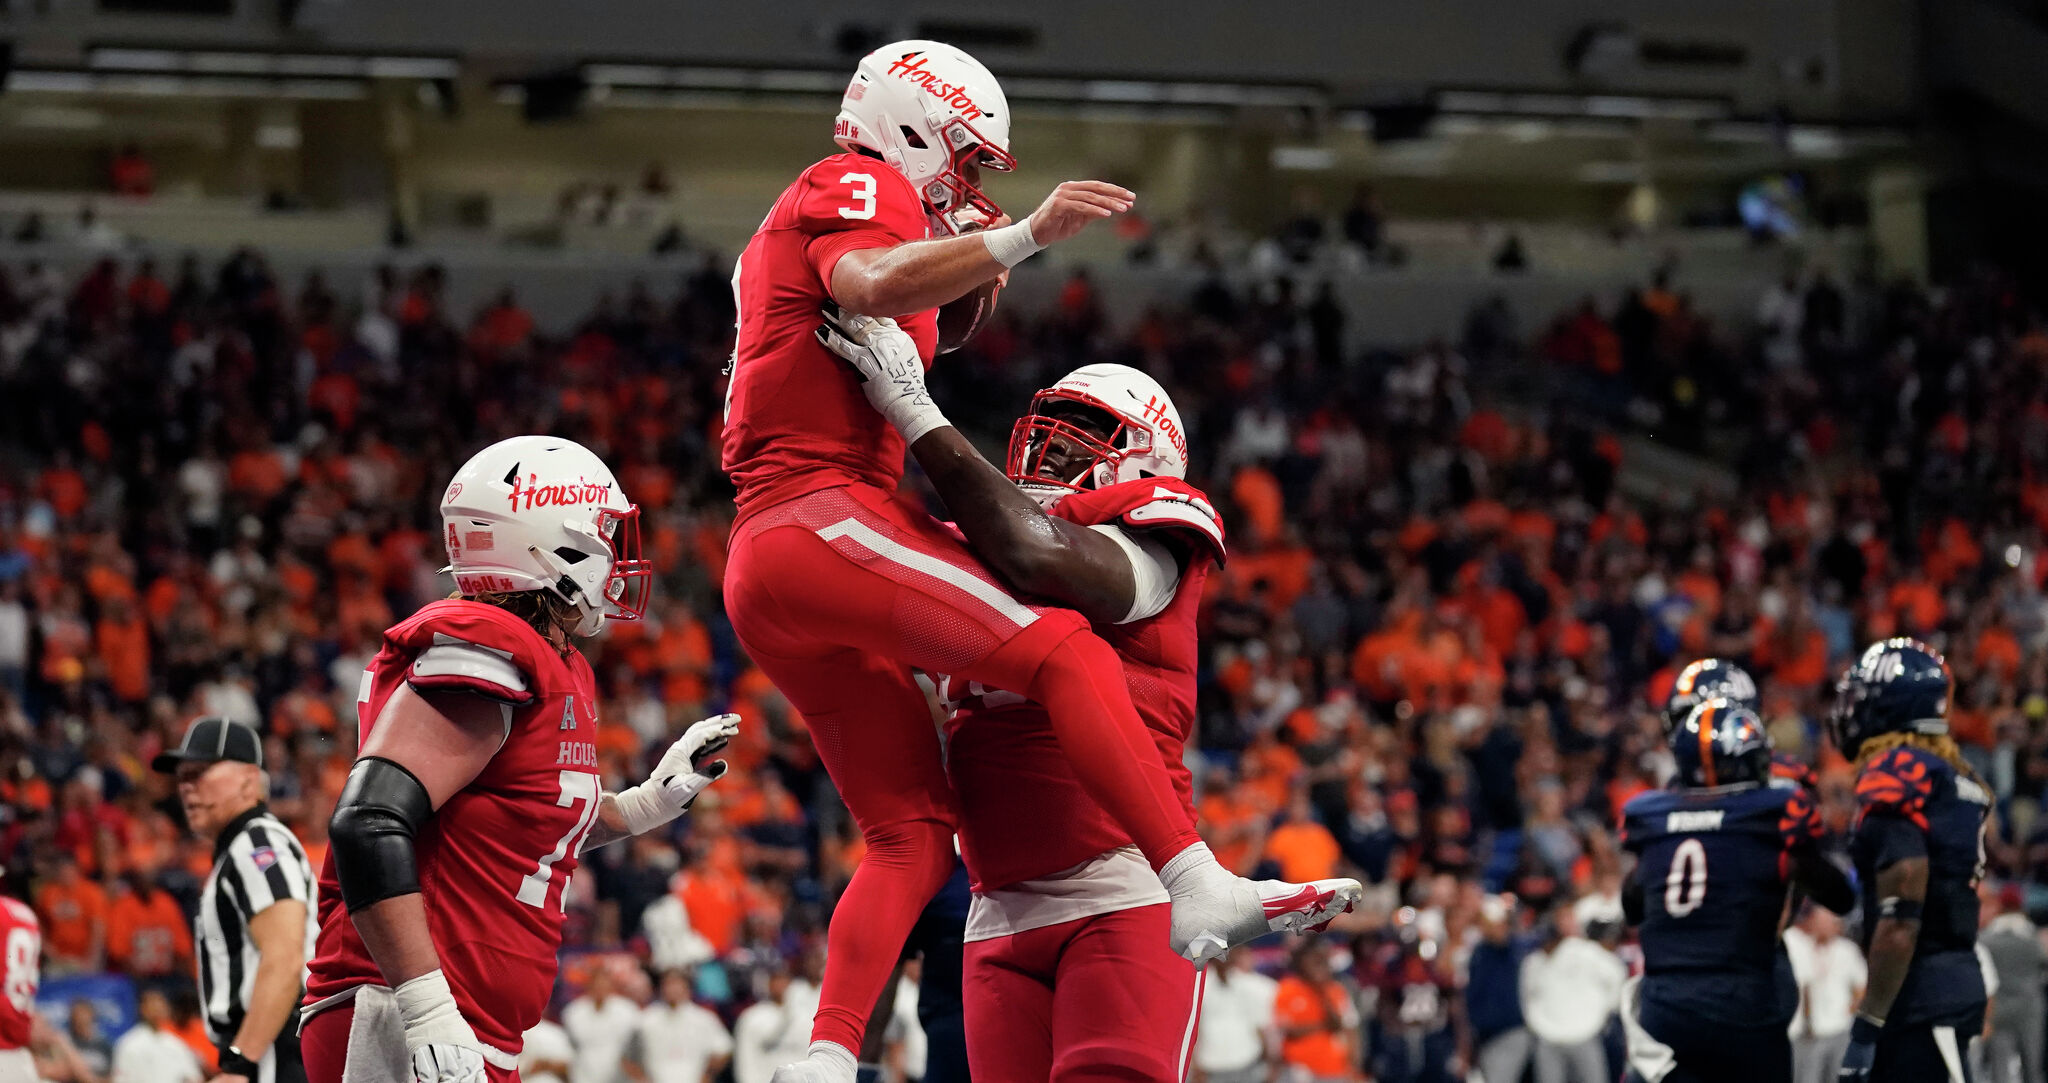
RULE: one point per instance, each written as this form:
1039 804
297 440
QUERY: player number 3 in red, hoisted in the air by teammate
839 589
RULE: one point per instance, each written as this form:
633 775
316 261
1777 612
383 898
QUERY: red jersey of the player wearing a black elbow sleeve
499 855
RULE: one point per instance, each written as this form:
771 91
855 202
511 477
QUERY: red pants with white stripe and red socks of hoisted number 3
839 597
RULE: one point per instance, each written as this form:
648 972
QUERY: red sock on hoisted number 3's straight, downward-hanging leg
900 873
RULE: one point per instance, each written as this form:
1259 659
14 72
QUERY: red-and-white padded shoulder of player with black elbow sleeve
472 648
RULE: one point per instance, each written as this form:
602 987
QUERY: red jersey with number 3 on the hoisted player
796 421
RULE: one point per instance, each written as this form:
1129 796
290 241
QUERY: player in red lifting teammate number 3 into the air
1068 971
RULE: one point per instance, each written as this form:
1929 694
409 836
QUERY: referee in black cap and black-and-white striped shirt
255 928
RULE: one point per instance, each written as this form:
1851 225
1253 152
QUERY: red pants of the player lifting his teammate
1101 998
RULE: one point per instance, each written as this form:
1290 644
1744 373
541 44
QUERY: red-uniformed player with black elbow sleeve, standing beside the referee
476 787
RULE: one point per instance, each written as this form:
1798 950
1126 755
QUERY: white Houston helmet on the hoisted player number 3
925 110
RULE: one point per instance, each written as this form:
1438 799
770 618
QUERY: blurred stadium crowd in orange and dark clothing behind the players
1433 660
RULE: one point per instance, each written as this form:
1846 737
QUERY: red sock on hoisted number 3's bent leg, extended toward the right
1084 693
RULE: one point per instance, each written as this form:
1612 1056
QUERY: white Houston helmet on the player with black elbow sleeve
542 513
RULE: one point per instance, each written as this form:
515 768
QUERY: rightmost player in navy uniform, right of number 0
1920 855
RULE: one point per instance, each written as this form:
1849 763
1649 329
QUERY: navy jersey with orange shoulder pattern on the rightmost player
1912 804
